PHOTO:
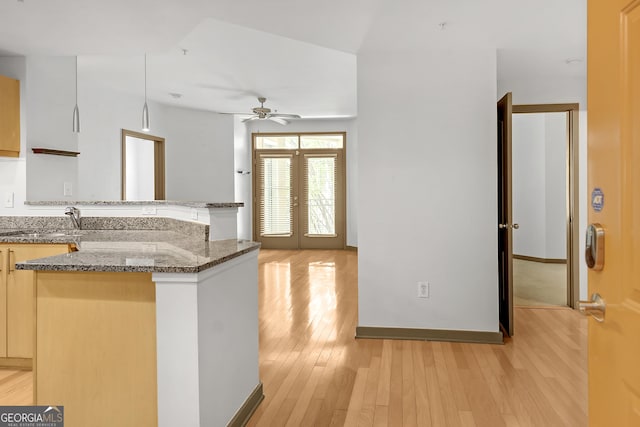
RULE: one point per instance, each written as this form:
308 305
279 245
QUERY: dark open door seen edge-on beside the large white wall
505 227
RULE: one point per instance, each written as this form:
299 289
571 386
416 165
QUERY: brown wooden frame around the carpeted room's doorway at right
572 188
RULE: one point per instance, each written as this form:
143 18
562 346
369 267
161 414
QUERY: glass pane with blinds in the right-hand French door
321 195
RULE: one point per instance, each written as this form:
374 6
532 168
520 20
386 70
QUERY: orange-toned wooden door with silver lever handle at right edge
614 167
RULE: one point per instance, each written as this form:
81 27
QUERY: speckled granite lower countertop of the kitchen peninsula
159 251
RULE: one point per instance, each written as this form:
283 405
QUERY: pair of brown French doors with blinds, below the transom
299 198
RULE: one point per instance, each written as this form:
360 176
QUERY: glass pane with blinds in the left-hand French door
276 215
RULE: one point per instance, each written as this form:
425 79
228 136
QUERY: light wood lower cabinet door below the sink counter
20 291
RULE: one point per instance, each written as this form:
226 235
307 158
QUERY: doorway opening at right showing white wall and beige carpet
540 246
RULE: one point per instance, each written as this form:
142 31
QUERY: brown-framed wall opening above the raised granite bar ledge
143 176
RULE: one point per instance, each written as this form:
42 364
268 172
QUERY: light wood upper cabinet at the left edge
9 117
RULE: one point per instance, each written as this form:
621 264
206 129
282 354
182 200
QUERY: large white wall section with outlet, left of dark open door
427 189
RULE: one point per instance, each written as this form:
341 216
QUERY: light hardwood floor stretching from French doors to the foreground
315 373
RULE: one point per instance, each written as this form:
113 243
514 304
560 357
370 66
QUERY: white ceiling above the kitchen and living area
300 54
